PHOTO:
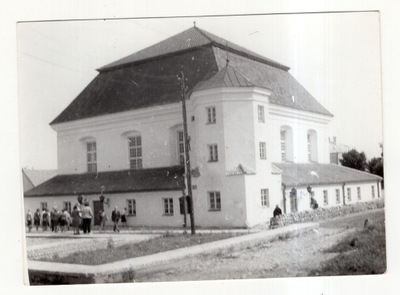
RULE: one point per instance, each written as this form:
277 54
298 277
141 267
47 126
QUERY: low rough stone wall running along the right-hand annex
326 213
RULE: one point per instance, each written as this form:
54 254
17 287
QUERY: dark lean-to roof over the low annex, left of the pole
144 180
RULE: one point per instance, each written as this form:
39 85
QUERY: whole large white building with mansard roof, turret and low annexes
257 139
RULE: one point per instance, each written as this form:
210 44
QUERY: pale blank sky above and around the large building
336 57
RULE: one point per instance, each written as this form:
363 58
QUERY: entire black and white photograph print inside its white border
200 148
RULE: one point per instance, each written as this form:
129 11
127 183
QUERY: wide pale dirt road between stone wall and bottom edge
284 258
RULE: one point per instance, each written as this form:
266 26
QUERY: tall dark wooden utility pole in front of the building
187 157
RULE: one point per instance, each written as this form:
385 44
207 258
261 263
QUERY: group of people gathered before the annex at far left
80 218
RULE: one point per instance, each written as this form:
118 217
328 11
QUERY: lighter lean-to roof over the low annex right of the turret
321 174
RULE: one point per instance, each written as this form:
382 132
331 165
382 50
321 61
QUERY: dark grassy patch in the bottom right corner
362 252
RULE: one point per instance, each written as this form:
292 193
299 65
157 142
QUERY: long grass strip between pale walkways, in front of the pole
168 241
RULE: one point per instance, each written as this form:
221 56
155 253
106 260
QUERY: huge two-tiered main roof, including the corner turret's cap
149 77
